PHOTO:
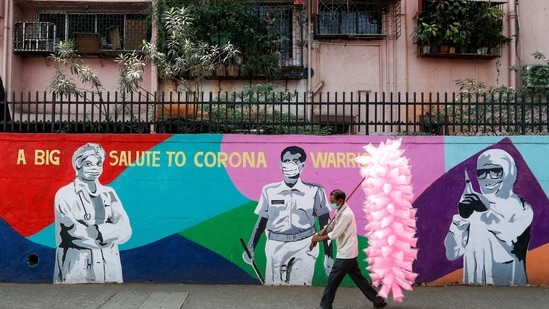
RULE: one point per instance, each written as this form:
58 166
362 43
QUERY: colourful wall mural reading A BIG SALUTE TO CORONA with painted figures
196 203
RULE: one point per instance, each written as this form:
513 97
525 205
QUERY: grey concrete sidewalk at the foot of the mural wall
168 296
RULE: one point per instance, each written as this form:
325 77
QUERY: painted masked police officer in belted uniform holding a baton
287 212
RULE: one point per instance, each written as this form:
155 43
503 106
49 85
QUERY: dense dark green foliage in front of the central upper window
255 34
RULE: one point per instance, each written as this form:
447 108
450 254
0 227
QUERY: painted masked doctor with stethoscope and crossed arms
90 223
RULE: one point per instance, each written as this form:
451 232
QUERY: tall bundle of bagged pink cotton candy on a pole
391 218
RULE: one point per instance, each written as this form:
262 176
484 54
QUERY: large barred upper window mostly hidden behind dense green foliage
268 35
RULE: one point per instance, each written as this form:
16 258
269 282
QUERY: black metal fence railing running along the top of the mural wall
279 113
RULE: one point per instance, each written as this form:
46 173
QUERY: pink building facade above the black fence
387 61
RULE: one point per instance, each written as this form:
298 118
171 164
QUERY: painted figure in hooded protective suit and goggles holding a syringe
492 228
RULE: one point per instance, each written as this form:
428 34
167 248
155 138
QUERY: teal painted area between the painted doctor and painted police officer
191 193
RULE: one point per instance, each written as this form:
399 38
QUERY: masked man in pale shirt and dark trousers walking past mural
344 232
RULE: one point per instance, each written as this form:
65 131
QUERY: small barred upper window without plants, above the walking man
348 18
